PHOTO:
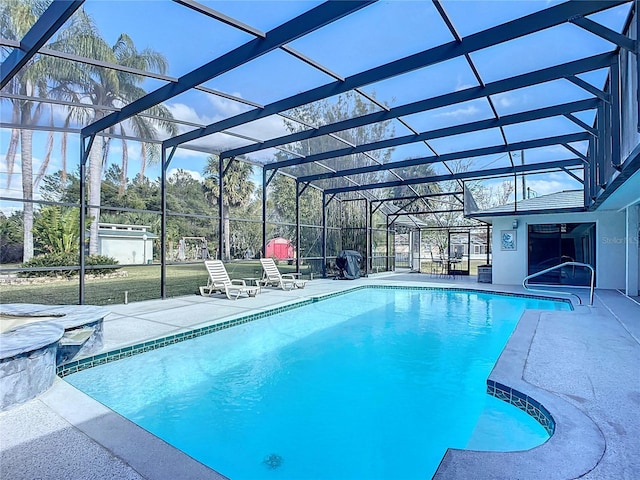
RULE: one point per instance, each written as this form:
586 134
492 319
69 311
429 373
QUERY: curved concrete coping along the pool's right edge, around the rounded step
574 449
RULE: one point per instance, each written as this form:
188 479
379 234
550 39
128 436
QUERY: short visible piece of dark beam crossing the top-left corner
56 14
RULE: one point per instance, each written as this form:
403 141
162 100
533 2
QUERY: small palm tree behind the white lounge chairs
237 192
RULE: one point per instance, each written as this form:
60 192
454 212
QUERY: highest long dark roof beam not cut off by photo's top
473 93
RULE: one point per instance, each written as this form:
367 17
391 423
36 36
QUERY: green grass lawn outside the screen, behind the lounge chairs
141 283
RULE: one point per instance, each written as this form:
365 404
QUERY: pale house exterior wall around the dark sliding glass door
510 266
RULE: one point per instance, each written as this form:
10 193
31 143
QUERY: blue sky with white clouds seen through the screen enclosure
372 36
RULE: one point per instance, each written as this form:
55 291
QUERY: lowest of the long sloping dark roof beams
492 172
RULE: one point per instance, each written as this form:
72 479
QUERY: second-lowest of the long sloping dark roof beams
478 152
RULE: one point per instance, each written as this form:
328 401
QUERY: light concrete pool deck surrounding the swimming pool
585 363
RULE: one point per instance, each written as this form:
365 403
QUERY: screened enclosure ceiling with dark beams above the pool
386 99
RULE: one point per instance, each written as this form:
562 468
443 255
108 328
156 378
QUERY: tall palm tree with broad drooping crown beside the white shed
104 89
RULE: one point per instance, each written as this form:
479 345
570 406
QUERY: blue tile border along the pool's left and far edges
118 354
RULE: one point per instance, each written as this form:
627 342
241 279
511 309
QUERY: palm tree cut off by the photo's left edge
17 17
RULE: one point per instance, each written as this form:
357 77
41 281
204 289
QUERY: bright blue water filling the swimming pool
376 383
